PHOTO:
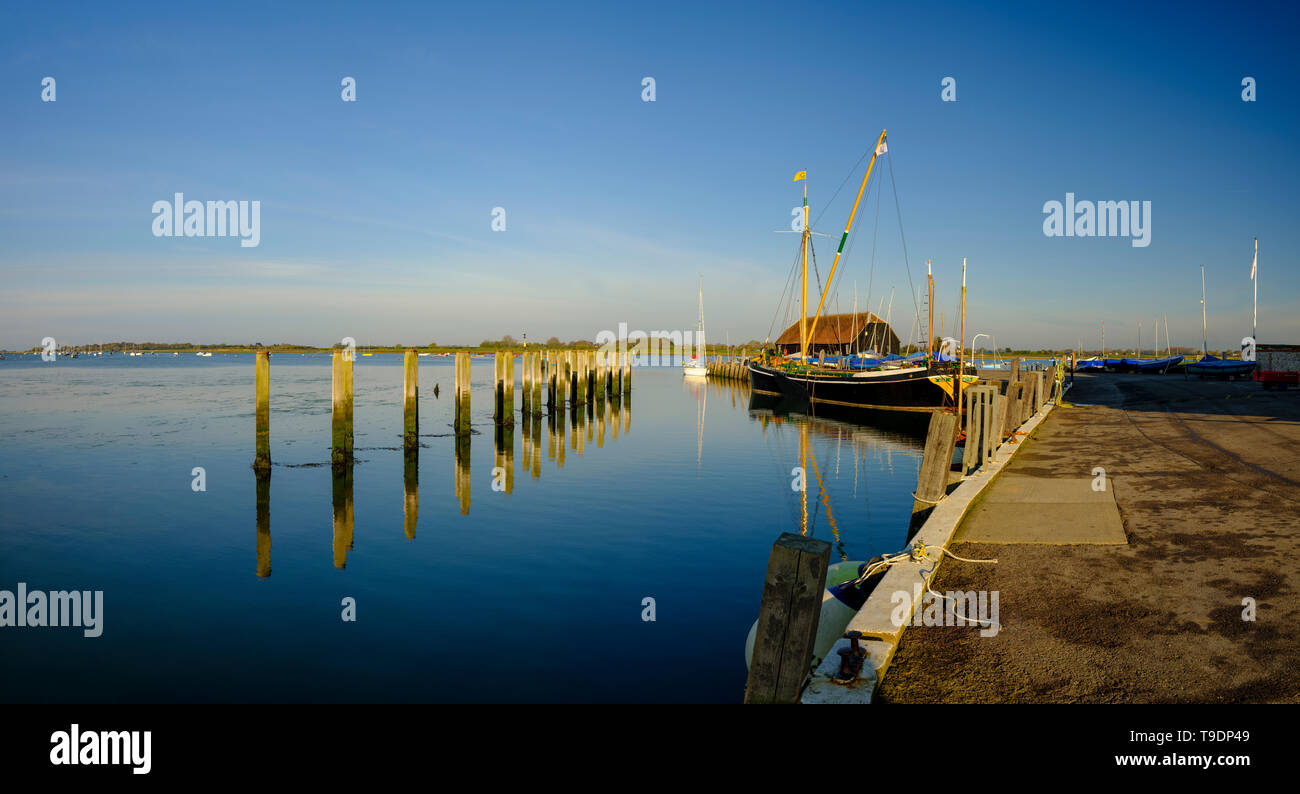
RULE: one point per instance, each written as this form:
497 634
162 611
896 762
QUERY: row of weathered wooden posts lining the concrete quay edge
995 409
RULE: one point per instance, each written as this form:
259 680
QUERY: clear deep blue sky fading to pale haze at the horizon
376 215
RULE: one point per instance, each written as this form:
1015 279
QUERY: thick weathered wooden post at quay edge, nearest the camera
788 619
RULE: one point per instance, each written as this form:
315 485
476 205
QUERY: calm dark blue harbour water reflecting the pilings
483 596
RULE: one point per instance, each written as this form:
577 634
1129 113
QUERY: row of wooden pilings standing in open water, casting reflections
560 378
